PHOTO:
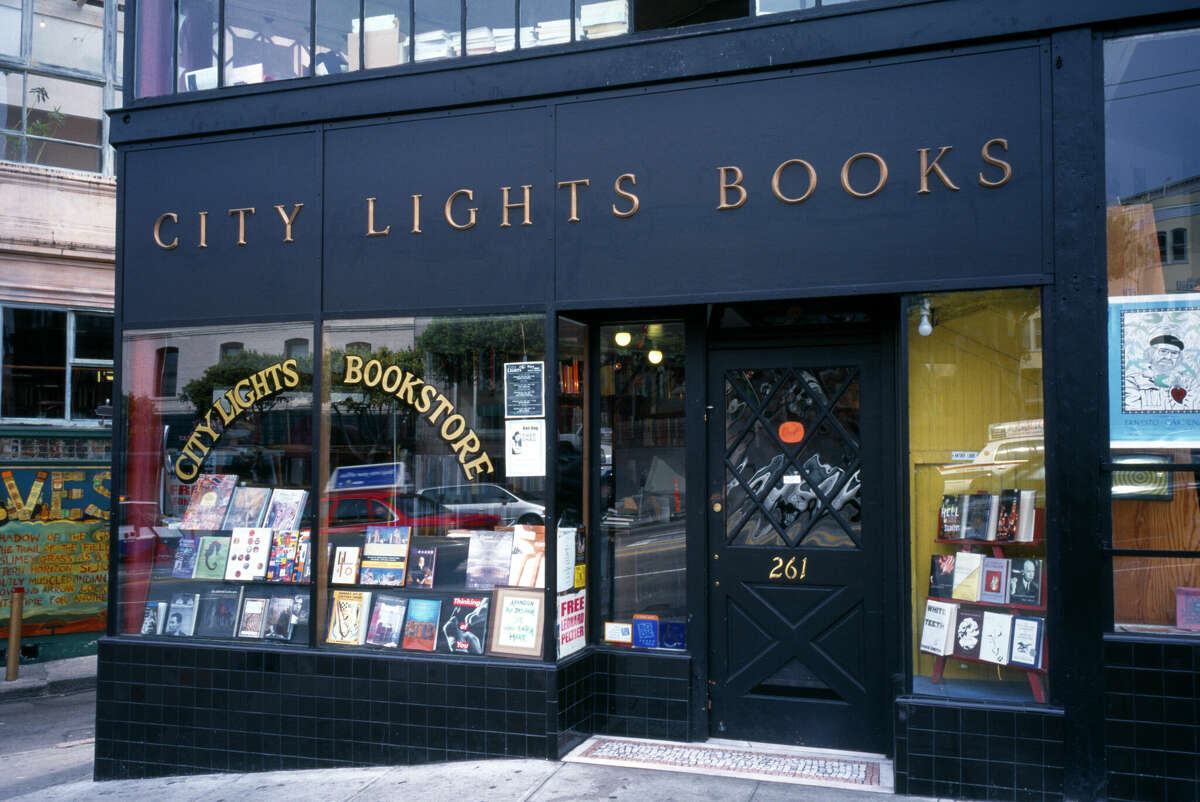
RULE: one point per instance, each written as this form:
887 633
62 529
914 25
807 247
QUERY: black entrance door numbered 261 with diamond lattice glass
796 580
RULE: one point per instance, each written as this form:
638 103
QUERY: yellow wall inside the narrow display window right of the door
981 366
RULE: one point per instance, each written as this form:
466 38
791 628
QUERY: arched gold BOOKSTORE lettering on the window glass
428 402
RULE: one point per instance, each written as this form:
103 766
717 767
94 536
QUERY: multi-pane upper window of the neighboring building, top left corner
58 73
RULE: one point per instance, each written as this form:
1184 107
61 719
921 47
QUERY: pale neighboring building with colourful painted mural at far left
58 210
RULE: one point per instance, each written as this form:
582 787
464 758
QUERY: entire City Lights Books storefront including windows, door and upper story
494 376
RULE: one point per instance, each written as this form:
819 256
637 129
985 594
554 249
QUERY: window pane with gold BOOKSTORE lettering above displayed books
429 486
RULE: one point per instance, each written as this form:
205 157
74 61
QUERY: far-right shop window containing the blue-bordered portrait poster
1153 185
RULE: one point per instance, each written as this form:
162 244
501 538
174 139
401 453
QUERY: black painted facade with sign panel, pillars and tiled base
1123 719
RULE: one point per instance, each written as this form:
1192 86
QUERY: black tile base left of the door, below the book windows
195 709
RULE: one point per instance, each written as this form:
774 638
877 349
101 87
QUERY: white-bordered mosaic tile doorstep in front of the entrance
745 761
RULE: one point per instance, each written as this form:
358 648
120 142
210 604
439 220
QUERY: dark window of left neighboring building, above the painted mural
58 364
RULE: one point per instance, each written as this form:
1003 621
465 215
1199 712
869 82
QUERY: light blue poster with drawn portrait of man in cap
1155 372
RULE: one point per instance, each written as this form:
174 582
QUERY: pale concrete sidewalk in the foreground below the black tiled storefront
494 781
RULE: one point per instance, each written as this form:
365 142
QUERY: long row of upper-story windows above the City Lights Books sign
208 44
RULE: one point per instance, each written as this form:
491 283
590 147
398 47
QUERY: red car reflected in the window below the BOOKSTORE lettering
353 512
